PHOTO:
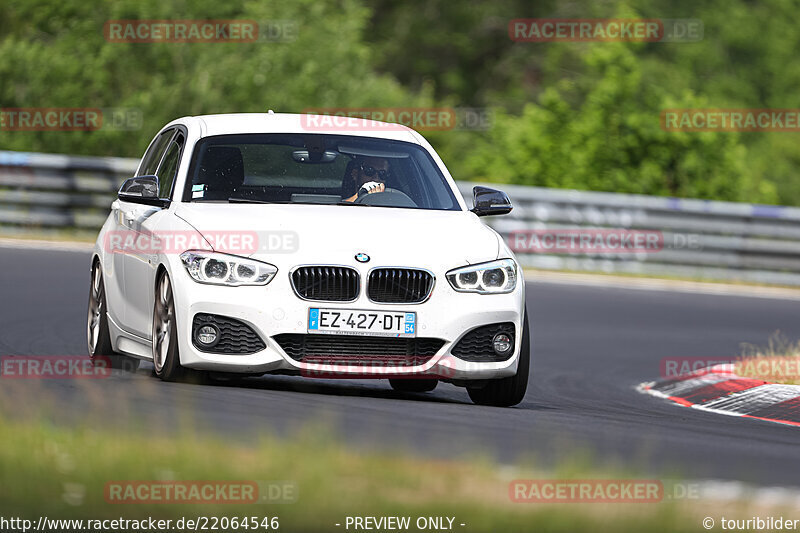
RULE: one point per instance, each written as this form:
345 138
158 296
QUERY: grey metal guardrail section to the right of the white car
701 239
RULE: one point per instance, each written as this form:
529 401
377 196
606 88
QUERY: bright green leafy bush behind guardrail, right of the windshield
602 132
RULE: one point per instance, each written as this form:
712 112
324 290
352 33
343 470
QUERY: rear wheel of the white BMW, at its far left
98 338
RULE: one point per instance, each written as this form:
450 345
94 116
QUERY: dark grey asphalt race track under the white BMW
592 346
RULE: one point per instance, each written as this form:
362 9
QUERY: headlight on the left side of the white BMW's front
224 269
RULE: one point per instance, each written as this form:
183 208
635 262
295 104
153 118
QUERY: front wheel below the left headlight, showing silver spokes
166 360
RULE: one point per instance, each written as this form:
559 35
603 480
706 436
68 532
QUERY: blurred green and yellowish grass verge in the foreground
49 470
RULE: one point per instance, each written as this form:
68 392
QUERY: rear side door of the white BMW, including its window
124 229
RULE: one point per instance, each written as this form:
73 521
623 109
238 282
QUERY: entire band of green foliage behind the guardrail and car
578 115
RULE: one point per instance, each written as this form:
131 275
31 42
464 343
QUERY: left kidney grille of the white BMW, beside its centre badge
330 283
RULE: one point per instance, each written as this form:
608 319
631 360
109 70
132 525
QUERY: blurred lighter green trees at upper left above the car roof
54 54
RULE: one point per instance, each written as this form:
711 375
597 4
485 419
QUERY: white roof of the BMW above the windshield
232 123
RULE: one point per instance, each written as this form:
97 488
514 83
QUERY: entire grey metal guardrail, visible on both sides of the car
701 239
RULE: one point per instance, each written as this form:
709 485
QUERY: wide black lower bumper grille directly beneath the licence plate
353 350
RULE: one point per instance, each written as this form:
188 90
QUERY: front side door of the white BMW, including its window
140 266
